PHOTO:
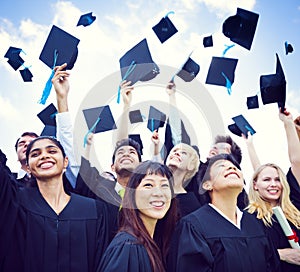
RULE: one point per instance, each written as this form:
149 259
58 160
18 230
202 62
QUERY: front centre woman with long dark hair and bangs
148 217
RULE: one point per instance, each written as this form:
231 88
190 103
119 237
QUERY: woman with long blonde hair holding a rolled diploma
269 188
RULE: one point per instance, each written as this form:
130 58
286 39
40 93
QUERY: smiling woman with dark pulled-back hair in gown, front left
43 228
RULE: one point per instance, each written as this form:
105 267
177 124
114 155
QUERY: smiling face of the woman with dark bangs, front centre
153 197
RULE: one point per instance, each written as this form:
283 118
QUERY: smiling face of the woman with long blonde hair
268 185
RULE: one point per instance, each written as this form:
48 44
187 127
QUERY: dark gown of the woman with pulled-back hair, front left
34 238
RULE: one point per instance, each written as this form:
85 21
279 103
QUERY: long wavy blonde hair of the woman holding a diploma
263 208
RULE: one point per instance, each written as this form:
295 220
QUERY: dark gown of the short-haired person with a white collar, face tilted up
205 241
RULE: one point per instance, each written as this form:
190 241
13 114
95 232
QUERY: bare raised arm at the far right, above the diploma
293 142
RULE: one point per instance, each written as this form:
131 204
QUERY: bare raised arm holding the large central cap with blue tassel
126 92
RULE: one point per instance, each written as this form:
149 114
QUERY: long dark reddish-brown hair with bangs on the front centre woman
130 221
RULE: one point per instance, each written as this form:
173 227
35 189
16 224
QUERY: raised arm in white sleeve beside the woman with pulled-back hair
63 120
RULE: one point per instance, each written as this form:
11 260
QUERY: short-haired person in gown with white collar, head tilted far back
218 236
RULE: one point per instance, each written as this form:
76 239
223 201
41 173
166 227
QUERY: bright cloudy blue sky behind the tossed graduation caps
122 24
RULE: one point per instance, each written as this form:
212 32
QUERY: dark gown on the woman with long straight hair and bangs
124 254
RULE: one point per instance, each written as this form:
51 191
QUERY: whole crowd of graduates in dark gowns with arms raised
169 213
